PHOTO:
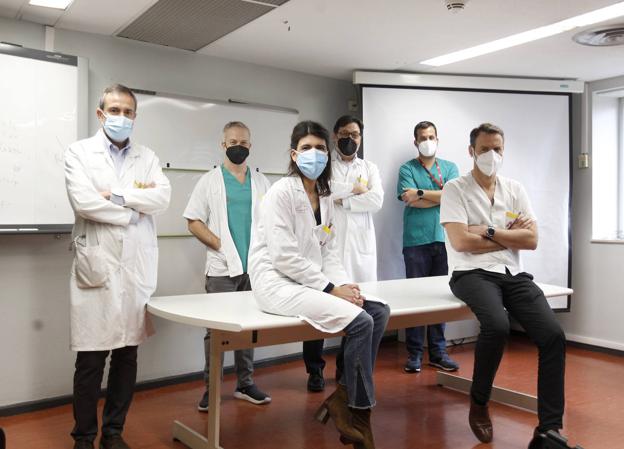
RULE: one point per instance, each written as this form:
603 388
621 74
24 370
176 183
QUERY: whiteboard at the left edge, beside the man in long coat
41 93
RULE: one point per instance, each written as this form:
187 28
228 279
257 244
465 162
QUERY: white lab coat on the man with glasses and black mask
355 229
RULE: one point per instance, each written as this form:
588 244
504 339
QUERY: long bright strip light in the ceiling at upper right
599 15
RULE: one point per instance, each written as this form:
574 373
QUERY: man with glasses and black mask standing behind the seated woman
358 194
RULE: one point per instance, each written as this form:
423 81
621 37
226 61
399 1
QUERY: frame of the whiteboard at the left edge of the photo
82 120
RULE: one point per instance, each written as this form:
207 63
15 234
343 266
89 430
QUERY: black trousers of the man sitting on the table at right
488 294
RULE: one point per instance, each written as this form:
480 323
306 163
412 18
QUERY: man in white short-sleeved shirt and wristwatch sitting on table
488 219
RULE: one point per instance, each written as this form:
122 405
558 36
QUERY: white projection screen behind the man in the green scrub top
537 153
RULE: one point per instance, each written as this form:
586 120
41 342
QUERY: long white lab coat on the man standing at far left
113 315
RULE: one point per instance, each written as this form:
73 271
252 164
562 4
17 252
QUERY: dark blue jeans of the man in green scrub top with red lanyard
424 261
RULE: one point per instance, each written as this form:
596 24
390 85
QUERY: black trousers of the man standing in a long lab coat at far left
119 391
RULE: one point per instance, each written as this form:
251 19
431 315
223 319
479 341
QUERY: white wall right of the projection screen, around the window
598 301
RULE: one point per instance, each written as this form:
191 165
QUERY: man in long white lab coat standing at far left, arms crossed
115 187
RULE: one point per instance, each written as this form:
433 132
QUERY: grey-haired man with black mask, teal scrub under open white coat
220 214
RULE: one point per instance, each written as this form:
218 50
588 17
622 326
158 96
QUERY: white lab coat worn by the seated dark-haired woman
292 260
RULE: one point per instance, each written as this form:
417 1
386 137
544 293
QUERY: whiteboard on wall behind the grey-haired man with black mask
186 132
